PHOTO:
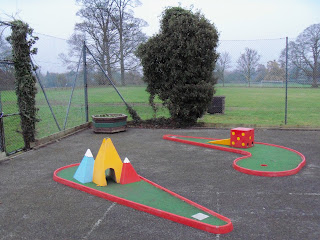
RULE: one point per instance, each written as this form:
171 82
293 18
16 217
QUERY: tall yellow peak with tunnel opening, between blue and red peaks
107 157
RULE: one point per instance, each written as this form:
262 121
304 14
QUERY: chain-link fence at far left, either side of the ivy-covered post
60 97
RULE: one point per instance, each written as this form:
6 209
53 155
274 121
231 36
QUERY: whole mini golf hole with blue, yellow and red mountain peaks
110 178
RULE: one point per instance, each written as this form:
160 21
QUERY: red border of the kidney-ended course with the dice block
242 152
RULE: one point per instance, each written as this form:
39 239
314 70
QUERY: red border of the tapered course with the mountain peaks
173 217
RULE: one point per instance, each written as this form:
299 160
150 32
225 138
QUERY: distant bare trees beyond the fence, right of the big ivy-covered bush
303 63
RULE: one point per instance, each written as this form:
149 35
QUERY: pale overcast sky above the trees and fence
234 19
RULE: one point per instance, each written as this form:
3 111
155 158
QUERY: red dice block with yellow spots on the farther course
242 137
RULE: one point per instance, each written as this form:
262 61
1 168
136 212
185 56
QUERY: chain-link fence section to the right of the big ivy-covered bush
253 76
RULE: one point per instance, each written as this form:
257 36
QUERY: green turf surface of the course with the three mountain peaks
146 194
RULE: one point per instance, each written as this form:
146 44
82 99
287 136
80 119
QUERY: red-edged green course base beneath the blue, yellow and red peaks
149 197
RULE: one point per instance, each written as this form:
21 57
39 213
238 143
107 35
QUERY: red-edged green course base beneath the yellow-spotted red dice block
263 159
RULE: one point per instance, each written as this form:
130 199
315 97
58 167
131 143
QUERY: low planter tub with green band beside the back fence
109 123
